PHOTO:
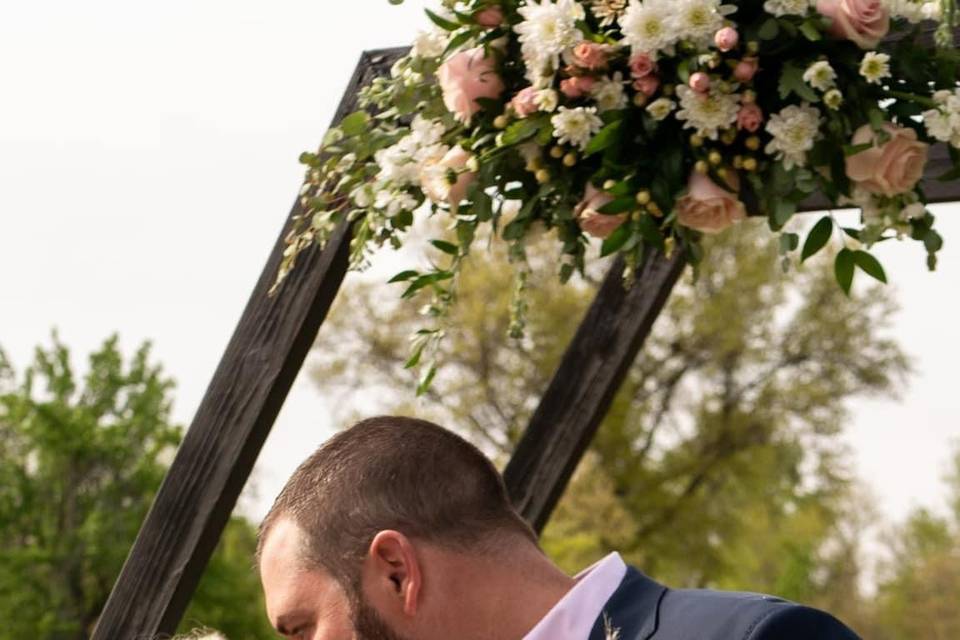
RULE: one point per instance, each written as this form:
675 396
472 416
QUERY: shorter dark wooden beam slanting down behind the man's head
589 375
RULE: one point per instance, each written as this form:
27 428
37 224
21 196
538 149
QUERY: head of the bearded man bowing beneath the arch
366 536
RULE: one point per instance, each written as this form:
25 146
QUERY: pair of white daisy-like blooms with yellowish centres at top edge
652 26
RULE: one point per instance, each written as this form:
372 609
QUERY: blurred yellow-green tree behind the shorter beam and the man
719 463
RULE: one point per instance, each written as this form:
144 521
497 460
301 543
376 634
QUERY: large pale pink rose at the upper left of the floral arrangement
466 76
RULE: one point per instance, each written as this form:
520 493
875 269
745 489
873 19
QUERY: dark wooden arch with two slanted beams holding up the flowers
268 348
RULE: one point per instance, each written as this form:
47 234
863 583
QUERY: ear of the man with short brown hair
394 569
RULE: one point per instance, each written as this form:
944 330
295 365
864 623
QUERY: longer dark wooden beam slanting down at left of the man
241 403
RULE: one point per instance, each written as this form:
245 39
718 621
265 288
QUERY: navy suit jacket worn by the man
641 609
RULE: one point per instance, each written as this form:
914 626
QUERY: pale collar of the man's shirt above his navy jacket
573 617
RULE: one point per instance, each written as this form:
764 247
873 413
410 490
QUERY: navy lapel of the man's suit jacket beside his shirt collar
632 609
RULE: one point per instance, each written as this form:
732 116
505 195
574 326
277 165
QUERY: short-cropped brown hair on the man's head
395 473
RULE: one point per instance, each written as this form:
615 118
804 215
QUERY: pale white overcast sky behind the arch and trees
148 158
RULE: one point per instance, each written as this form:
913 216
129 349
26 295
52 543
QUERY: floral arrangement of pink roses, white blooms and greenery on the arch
644 124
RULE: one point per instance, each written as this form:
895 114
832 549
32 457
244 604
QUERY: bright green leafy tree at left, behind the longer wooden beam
80 460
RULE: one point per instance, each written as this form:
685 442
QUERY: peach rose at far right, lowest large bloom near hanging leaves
889 169
